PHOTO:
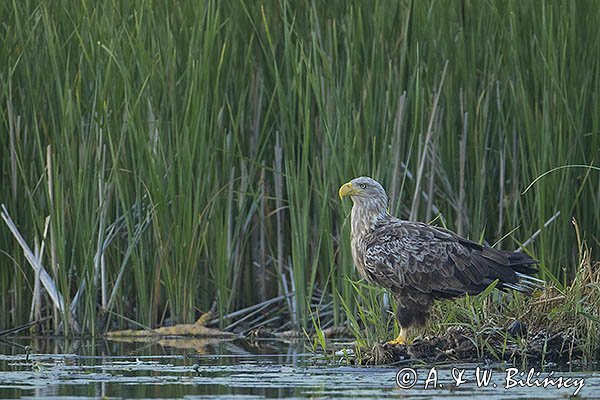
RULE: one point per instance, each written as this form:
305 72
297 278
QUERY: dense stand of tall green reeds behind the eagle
187 155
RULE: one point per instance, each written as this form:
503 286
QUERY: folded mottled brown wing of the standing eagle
423 259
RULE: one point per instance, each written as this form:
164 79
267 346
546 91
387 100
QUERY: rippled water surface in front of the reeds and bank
201 369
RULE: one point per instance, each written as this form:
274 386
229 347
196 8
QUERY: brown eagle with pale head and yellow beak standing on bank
419 263
